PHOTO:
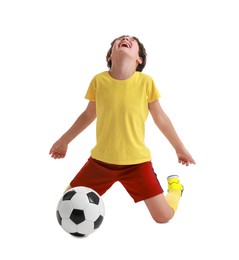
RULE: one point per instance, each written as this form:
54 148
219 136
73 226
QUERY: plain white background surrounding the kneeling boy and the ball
49 51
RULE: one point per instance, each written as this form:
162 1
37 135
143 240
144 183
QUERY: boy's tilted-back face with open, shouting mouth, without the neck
126 45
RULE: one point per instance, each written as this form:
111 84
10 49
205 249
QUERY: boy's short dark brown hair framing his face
142 52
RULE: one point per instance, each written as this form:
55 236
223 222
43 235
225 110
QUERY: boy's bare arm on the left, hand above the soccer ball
59 148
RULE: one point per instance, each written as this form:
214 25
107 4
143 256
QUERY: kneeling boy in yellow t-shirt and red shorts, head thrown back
120 99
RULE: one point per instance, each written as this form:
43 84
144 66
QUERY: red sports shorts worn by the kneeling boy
139 180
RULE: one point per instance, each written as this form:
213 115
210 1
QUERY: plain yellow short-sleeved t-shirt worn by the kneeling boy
121 110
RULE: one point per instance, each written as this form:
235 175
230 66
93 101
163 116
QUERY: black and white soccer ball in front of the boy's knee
80 211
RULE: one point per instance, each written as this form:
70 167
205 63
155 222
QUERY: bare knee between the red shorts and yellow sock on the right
159 208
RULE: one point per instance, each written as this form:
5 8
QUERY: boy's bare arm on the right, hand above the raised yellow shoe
166 127
